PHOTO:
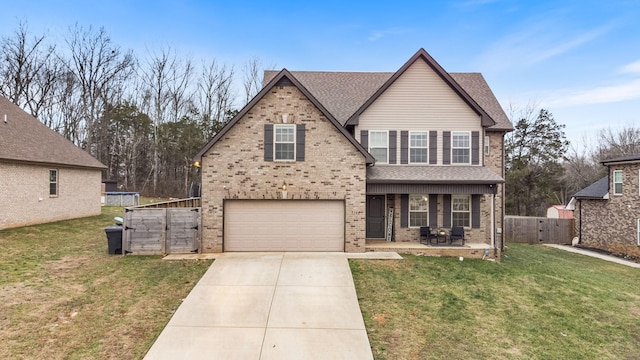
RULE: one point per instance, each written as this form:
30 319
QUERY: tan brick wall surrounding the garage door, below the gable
234 167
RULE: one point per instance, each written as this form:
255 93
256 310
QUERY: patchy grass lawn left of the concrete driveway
63 297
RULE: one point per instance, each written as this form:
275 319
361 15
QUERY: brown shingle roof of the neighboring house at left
25 139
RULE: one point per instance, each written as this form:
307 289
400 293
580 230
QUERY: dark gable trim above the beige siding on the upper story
424 56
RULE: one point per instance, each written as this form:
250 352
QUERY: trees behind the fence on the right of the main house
542 168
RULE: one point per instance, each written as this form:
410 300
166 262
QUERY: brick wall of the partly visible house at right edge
612 224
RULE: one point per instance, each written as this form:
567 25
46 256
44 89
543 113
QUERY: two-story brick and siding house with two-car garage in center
320 161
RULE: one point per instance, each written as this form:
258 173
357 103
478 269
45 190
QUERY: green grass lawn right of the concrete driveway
538 303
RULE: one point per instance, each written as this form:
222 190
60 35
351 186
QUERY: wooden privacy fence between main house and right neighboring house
538 230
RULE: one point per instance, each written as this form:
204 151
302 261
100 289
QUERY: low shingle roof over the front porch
432 174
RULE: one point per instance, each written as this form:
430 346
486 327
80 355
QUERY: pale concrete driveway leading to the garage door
269 306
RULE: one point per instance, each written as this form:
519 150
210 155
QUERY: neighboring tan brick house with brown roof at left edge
43 176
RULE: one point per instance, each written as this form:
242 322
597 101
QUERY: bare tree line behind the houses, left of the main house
143 117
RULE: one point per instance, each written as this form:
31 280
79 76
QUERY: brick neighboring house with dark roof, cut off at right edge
607 212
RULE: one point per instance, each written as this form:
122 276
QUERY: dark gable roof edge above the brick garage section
285 77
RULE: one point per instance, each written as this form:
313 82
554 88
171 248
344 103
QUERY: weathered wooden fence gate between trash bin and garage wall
163 228
